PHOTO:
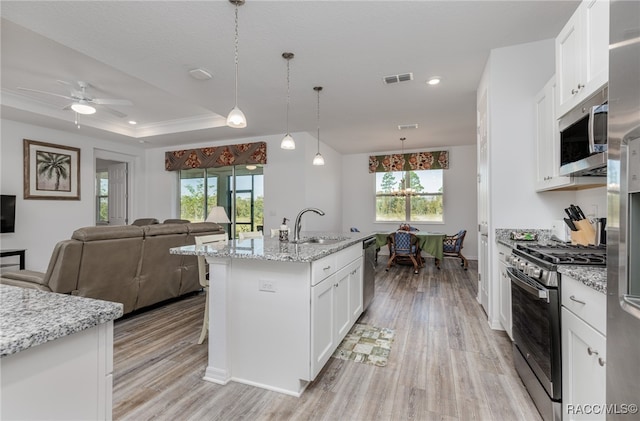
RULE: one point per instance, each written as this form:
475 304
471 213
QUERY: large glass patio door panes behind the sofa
202 189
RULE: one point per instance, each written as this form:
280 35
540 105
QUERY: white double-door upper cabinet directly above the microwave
582 54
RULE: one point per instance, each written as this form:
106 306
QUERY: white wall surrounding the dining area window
460 197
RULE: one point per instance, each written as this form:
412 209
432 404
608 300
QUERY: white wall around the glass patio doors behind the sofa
291 183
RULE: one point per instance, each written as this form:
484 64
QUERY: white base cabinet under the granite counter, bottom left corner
67 378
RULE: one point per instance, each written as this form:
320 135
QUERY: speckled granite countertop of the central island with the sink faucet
267 248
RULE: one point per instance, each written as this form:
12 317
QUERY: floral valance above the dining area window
434 160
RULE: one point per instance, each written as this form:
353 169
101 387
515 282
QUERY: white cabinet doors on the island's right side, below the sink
336 304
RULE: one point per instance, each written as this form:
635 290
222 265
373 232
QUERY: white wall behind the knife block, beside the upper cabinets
516 75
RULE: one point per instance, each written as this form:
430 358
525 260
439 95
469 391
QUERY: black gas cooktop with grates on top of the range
567 254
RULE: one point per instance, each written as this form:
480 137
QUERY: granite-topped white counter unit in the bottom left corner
56 355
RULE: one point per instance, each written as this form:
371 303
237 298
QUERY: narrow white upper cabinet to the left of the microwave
548 146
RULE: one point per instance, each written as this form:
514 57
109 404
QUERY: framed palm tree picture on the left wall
51 172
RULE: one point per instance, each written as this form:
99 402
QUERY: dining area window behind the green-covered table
424 204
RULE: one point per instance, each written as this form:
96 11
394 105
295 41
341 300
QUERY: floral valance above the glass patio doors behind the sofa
219 156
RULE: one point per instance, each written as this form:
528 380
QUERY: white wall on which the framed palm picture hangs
40 224
